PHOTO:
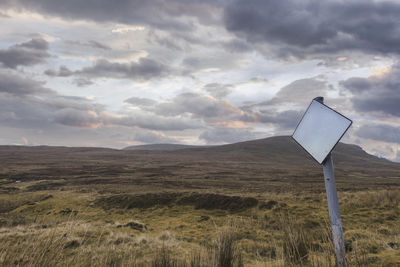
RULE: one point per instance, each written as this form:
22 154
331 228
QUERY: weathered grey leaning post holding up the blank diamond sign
333 206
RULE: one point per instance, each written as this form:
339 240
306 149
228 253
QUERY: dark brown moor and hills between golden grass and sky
264 164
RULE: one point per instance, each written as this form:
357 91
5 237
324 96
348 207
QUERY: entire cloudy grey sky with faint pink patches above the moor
119 73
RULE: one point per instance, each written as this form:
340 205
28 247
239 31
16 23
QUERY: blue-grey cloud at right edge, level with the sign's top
376 94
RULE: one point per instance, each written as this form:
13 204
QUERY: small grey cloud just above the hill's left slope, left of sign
226 135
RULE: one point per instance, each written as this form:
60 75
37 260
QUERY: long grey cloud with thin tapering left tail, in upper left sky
144 69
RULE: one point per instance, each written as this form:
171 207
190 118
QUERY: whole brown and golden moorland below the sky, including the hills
238 205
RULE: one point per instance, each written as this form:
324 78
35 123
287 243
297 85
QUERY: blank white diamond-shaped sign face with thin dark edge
320 130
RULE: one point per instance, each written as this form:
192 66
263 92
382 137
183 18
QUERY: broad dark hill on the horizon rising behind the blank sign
278 150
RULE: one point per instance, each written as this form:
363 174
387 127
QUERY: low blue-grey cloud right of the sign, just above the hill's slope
384 133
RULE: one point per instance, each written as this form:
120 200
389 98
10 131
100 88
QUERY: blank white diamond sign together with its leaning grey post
318 132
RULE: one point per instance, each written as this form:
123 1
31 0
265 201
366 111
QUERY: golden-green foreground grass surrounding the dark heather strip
68 228
